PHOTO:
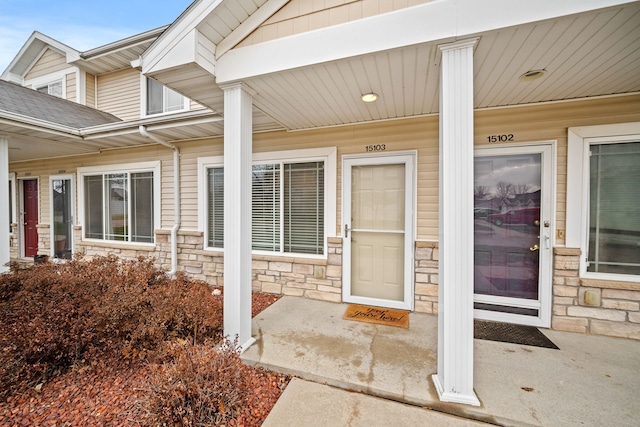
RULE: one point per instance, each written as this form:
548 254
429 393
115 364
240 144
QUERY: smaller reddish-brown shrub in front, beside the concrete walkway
202 385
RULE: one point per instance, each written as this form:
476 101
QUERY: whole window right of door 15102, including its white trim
603 203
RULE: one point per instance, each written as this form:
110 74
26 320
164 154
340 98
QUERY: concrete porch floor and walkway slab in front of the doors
589 381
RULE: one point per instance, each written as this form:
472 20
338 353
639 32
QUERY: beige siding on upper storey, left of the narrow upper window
119 94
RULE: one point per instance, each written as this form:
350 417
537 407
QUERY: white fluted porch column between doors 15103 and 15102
454 380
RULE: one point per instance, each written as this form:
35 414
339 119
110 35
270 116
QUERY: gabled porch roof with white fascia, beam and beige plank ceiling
315 78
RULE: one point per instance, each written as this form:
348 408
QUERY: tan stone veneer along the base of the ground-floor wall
579 305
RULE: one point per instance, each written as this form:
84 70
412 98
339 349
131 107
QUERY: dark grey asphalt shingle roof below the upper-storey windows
31 103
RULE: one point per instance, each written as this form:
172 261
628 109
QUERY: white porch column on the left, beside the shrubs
237 214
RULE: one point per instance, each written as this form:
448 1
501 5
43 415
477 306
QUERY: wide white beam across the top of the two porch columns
438 21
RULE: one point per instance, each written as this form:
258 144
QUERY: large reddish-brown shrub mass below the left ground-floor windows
57 315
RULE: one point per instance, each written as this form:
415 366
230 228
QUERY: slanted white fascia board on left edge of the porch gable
166 44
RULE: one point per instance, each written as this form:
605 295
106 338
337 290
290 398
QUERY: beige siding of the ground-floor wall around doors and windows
544 122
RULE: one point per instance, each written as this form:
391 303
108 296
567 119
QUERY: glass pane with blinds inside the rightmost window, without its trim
614 208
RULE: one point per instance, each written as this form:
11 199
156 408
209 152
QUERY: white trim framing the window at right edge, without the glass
579 140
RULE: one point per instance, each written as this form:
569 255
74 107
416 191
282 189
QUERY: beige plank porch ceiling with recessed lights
585 55
